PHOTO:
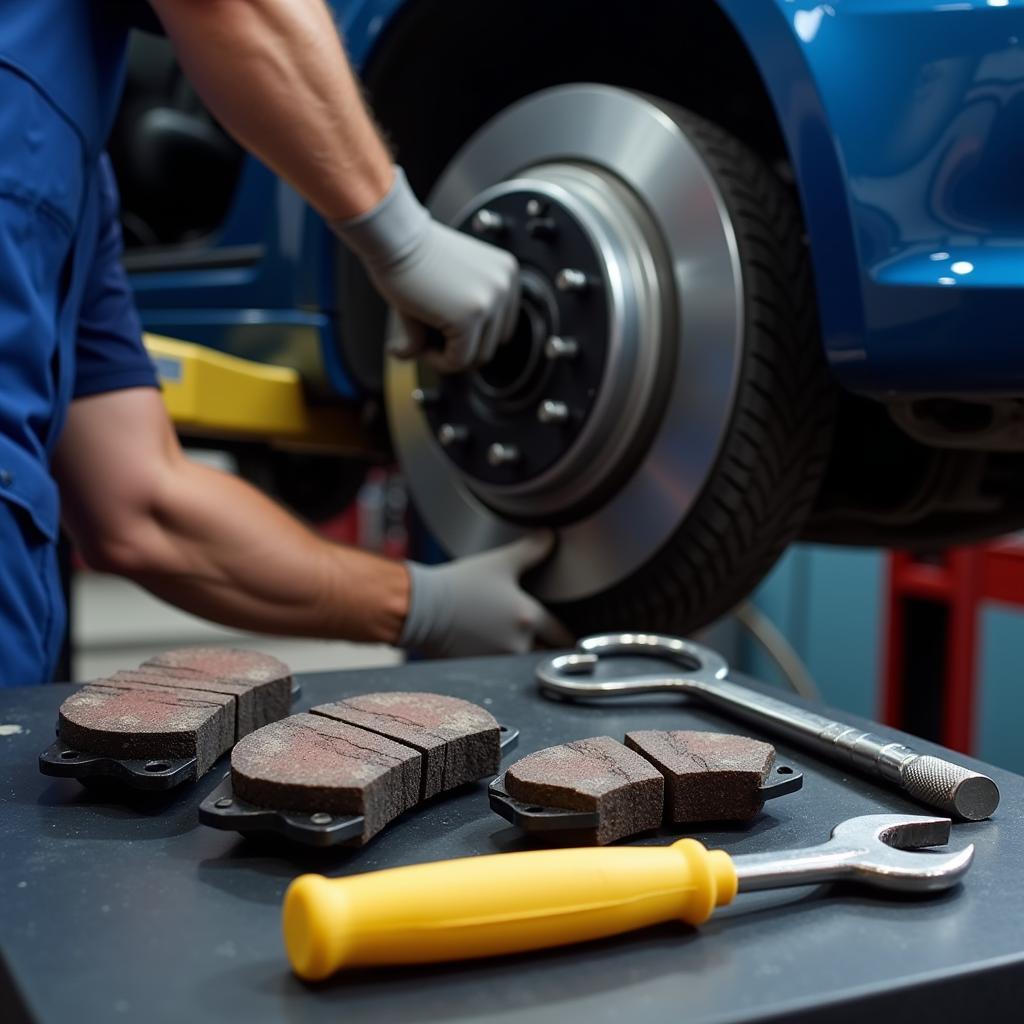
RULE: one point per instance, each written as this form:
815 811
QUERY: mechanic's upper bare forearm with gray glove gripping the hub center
275 74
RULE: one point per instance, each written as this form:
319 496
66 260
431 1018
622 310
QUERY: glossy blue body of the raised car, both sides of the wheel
905 125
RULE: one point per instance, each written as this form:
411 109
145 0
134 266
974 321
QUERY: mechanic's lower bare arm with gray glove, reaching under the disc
216 546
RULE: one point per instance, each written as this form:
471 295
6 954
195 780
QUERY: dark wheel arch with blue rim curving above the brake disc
439 70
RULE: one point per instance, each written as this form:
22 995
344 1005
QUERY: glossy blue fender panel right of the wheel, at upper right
905 121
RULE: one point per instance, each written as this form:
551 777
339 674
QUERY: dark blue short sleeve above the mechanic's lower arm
109 352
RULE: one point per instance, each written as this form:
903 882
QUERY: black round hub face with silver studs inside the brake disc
513 420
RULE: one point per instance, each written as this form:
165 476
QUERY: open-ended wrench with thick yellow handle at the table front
510 903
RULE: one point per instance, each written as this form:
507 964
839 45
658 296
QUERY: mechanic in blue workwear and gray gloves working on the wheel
82 424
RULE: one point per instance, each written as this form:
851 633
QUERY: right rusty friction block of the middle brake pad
460 742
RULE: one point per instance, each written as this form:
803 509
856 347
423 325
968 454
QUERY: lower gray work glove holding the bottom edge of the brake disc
476 606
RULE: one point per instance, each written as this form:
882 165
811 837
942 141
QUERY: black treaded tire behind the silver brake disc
776 449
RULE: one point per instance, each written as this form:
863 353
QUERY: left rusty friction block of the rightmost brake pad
599 775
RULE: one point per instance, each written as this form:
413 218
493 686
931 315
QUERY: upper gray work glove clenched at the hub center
438 278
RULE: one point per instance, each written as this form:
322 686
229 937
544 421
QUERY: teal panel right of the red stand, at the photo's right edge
1001 702
